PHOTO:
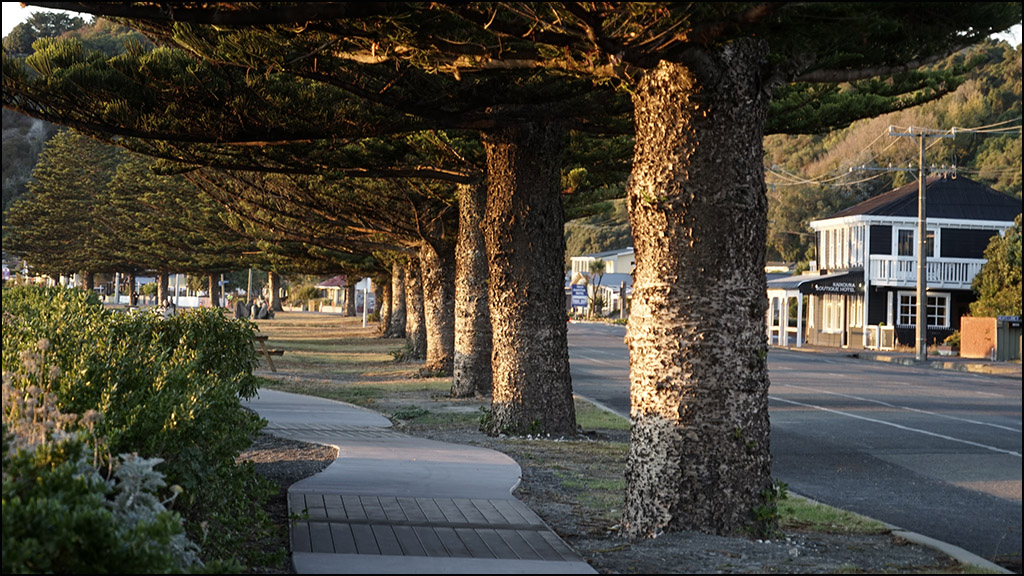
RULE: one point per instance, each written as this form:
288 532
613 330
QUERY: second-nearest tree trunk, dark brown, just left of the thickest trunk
524 230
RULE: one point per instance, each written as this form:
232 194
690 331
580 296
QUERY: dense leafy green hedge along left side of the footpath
167 389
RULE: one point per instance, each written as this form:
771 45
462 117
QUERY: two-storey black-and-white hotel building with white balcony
862 293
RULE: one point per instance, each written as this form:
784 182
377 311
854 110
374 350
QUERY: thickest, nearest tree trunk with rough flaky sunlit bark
700 442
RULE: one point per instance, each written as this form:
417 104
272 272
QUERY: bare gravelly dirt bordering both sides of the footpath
563 507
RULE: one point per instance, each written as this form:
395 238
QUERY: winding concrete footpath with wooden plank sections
398 505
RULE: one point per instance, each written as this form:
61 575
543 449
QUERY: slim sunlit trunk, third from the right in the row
473 319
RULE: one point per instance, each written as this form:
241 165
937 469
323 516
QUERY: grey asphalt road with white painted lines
934 452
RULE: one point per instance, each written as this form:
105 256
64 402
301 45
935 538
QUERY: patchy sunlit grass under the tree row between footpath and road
336 358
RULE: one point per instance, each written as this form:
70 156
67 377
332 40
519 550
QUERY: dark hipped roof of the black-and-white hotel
947 197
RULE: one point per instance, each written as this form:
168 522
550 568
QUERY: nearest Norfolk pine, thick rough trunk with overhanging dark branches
707 81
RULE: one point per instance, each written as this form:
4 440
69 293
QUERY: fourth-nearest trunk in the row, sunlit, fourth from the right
438 276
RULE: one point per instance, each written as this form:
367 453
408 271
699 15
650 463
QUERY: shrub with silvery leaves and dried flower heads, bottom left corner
61 514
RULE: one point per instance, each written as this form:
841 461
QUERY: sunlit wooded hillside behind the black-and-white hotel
812 177
